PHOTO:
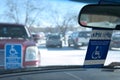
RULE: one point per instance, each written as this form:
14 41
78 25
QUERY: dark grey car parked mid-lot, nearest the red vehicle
54 40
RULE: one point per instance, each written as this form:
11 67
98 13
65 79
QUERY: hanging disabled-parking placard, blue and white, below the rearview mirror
98 48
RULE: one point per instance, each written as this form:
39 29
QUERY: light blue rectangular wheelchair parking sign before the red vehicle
13 56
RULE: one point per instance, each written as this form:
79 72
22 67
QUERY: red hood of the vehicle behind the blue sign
23 42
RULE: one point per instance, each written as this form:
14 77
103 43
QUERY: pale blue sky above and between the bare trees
62 7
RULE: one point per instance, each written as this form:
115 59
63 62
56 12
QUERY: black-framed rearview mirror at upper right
100 16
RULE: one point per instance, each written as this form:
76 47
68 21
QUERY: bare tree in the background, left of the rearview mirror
64 22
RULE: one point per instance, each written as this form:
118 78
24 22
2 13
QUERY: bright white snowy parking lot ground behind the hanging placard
70 56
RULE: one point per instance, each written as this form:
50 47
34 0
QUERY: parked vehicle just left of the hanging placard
79 38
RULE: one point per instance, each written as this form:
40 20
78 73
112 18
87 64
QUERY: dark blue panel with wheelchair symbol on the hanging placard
97 50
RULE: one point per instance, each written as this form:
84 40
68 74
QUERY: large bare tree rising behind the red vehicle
14 12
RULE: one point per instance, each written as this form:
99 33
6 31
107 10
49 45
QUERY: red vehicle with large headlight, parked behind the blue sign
16 34
